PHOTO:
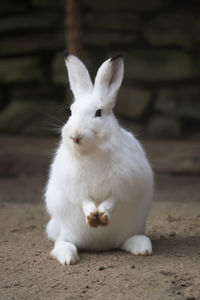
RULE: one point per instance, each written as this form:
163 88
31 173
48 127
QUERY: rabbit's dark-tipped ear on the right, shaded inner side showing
109 77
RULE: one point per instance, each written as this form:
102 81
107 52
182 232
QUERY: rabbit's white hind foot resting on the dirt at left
65 253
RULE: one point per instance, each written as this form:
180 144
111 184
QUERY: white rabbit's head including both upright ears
92 122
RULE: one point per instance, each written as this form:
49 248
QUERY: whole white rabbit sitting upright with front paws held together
100 187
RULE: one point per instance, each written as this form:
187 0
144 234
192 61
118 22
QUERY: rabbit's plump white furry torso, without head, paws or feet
125 175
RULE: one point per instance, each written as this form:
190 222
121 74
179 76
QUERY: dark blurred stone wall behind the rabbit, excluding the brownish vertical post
160 41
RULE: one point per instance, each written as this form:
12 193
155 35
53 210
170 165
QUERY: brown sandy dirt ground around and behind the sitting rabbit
28 272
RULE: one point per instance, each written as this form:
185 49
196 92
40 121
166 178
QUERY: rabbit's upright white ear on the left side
79 77
